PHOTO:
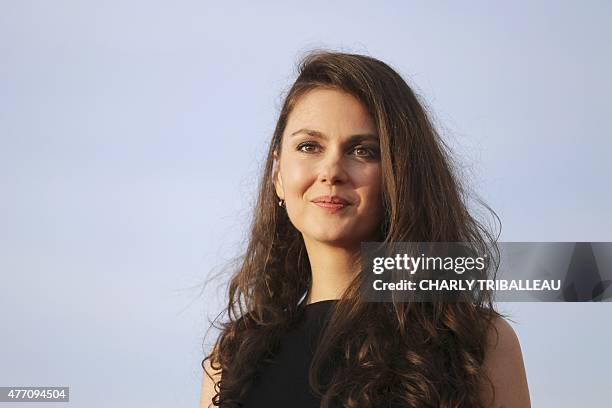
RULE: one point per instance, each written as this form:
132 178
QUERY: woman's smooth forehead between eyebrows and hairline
330 111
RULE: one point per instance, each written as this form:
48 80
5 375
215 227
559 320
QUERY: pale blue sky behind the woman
131 133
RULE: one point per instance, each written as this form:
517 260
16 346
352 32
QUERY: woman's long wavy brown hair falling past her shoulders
408 354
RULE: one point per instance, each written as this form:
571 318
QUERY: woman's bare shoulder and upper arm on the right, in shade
504 366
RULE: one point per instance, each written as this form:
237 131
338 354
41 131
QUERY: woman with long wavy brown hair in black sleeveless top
354 158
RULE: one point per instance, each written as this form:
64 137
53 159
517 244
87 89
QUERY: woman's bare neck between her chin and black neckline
332 269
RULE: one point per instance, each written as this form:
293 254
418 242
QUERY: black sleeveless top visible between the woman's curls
284 383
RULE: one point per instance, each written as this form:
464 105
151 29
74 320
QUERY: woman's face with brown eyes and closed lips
330 152
